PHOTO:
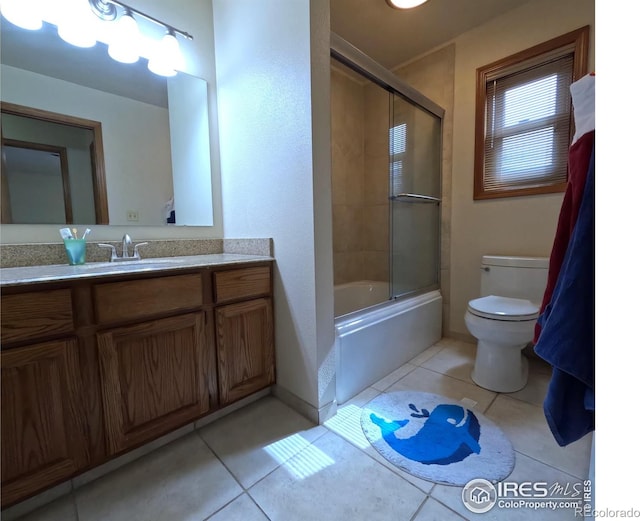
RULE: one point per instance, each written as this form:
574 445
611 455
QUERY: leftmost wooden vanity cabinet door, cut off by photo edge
43 438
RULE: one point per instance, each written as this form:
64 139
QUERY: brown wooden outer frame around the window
578 42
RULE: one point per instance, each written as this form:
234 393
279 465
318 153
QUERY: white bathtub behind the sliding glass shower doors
371 343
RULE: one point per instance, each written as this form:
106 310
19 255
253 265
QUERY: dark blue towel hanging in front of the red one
567 340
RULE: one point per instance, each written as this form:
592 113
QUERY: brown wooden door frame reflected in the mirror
96 150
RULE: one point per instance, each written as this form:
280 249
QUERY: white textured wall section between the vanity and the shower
272 60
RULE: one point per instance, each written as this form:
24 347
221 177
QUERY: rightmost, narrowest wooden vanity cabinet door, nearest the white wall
244 335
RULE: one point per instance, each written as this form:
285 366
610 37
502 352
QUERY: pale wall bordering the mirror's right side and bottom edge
194 17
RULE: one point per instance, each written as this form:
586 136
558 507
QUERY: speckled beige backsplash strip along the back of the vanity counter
14 255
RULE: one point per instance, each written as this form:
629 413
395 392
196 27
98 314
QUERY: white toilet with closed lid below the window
504 317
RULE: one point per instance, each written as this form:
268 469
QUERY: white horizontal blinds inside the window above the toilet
528 125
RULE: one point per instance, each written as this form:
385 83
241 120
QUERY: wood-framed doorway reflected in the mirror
52 168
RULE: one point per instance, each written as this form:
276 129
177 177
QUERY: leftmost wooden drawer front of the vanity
36 315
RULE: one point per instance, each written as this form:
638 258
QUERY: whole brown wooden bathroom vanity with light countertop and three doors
96 364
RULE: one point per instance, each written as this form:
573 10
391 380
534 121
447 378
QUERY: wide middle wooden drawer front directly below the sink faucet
134 299
